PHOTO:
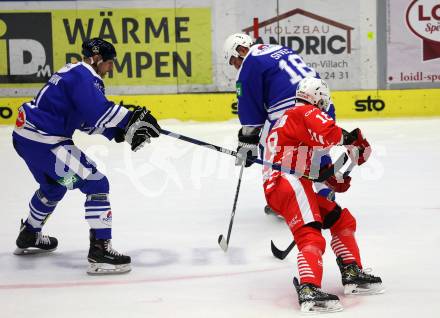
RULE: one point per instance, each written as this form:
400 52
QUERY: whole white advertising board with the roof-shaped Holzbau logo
328 36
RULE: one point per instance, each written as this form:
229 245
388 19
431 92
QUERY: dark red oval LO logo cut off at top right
423 19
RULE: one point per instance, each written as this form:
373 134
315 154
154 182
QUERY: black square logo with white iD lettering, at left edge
25 47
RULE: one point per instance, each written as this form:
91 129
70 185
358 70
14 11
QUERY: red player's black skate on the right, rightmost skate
357 281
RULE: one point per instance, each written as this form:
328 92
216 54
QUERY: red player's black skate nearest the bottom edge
313 300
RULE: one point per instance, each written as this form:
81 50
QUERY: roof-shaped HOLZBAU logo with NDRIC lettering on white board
309 34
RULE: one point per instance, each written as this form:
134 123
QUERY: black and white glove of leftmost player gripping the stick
140 128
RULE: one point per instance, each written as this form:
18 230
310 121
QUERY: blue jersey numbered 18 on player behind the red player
266 83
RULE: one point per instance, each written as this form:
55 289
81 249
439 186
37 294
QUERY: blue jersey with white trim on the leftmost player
73 98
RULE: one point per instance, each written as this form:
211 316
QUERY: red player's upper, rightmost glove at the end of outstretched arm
358 147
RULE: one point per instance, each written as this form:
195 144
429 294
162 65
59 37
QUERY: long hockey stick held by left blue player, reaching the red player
323 175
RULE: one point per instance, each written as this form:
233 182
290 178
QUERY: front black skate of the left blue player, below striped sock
103 259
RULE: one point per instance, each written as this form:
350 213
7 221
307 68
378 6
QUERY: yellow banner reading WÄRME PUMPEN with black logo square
154 46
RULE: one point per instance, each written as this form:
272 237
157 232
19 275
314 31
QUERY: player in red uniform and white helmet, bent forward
292 141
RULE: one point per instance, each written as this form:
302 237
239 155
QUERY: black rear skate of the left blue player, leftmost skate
29 242
